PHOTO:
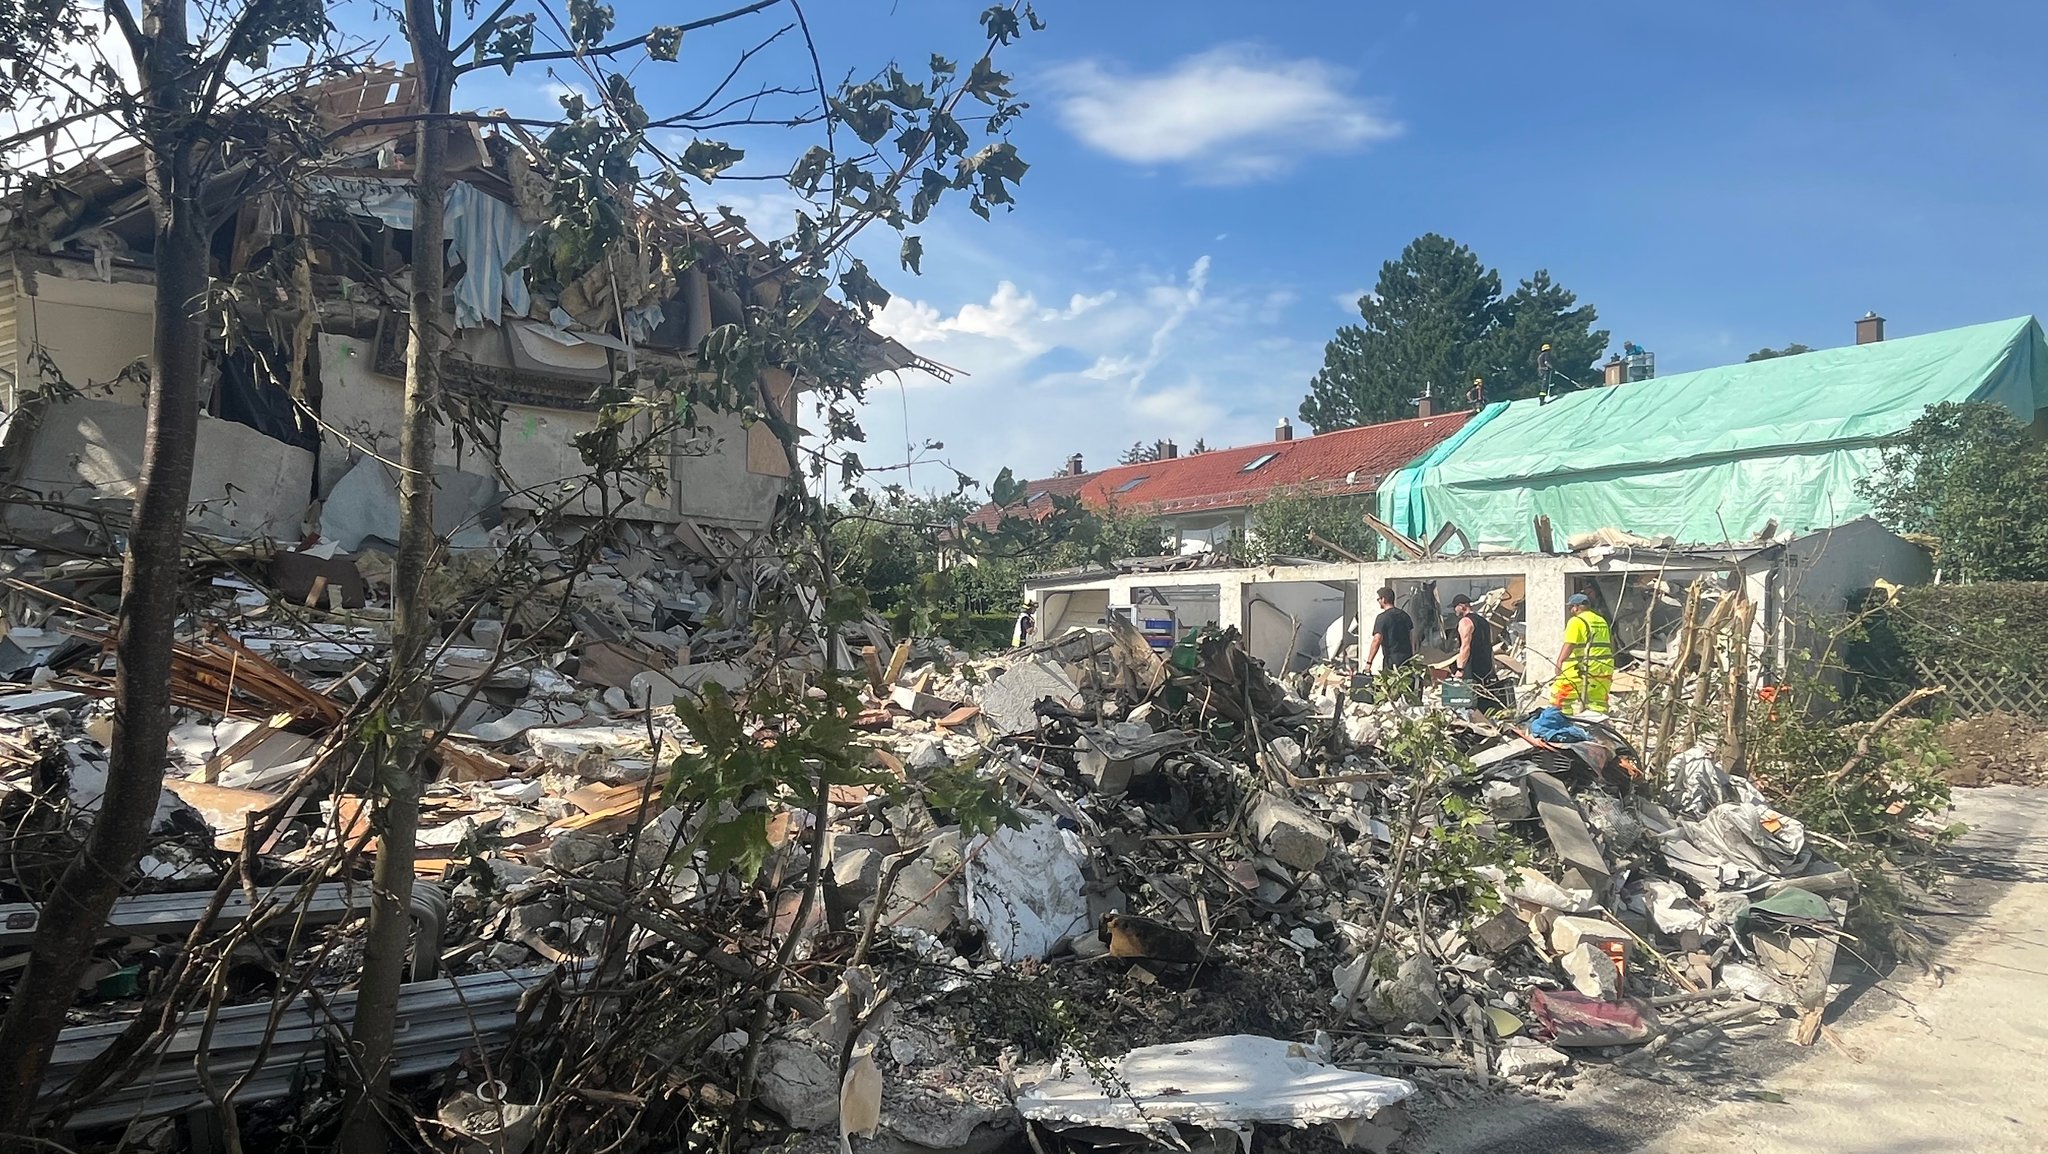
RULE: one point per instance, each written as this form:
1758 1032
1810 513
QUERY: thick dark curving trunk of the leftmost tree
151 581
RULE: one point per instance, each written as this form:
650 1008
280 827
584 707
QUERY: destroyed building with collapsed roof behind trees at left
302 419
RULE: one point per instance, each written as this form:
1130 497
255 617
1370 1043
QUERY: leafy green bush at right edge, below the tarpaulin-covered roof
1977 481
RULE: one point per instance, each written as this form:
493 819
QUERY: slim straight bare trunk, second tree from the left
402 782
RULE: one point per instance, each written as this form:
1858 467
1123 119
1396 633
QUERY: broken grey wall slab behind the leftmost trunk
89 454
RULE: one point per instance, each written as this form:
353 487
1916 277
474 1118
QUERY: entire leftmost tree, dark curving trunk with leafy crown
202 108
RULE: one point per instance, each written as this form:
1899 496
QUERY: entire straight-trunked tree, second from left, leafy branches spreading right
904 149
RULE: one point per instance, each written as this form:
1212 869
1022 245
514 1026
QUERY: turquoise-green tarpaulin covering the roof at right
1711 456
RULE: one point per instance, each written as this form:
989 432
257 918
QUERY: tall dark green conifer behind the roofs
1437 319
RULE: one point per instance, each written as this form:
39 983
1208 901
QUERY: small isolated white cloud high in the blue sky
1228 116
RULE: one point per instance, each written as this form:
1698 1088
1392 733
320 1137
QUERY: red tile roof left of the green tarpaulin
1345 462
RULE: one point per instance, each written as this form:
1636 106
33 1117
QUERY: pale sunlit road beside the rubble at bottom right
1953 1061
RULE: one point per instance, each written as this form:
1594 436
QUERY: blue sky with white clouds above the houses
1215 183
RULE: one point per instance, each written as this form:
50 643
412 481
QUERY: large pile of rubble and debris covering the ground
1349 897
